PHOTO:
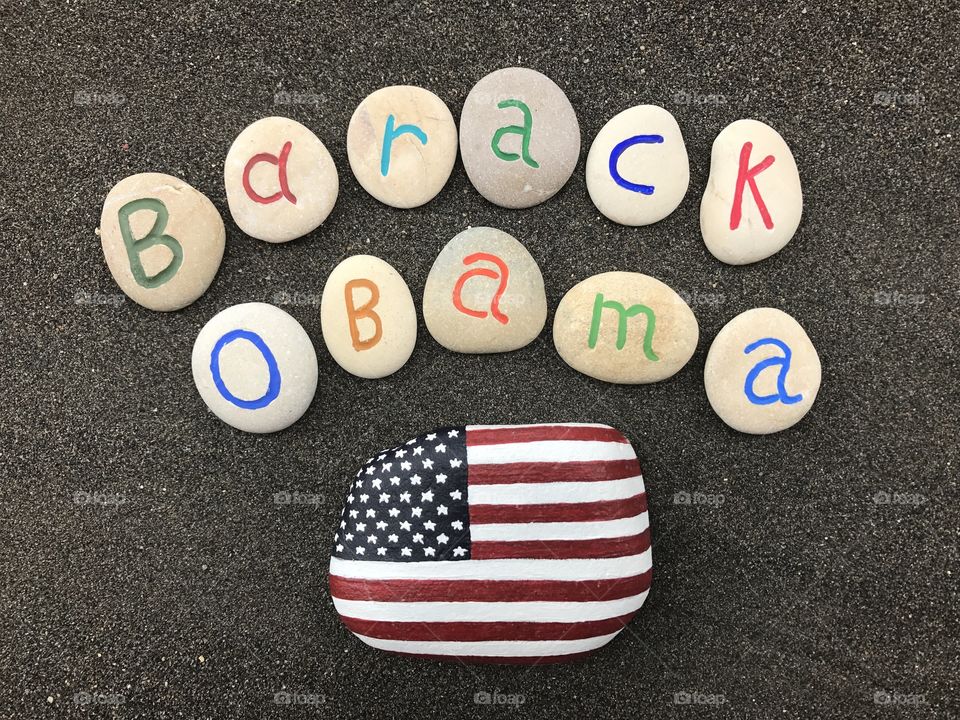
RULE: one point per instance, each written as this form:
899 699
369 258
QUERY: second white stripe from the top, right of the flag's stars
547 493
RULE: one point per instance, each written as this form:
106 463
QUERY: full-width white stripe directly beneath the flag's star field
601 569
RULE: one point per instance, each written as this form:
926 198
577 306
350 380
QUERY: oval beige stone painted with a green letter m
625 327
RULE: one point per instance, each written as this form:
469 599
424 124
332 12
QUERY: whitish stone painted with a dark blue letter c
637 168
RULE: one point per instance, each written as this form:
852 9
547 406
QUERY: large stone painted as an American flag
507 544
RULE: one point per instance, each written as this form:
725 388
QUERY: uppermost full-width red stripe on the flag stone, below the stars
488 590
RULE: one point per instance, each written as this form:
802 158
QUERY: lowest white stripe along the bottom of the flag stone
495 648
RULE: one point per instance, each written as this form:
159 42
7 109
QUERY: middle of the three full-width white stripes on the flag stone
488 611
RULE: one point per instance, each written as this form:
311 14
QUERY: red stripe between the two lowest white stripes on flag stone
478 632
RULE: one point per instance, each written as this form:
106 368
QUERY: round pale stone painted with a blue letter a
762 372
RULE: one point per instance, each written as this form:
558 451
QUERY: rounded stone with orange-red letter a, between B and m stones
484 294
